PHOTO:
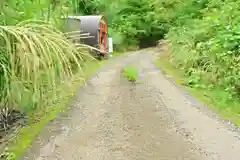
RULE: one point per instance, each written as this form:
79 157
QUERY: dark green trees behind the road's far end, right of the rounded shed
129 21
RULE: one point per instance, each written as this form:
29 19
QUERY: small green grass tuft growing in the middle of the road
130 72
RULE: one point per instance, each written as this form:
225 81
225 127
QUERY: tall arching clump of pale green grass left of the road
35 59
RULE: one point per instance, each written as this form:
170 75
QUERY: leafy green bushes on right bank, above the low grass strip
206 43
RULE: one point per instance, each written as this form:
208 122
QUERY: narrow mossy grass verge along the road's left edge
65 93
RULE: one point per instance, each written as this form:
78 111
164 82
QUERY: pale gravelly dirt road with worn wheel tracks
112 119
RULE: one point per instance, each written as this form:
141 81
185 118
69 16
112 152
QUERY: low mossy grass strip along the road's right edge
212 96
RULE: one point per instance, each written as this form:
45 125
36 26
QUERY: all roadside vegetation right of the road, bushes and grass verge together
204 50
